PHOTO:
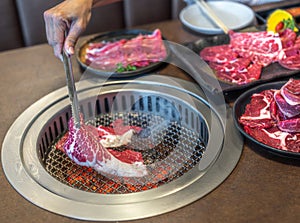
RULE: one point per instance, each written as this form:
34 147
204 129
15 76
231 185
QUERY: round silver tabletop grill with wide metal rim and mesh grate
190 144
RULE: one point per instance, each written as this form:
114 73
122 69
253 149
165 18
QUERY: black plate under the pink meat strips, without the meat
111 37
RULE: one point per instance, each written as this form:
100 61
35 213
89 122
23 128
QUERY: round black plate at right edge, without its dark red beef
239 109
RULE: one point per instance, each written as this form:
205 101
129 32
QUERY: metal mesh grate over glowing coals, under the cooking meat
179 150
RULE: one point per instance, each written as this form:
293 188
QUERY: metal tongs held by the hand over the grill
71 88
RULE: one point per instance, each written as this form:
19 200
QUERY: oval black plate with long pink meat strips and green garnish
123 53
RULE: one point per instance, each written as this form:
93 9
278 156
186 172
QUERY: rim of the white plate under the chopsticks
212 31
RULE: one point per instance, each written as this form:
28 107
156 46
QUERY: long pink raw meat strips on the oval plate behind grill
139 51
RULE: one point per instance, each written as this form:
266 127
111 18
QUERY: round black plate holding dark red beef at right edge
269 115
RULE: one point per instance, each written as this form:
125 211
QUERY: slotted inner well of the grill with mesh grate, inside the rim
181 144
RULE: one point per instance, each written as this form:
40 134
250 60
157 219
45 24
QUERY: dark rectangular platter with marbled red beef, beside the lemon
243 59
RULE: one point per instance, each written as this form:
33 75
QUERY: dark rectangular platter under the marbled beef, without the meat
269 73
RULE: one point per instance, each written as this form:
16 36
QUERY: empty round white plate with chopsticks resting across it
234 15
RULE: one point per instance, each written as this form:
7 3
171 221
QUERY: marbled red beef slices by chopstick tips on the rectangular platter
241 61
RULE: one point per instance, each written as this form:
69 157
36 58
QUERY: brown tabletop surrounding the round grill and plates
262 187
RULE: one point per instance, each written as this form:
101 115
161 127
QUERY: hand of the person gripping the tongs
71 17
